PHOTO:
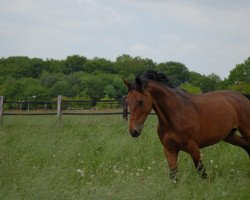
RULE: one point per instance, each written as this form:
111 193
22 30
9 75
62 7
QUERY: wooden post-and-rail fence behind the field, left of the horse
62 107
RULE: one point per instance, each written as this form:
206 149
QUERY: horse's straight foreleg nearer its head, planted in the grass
172 157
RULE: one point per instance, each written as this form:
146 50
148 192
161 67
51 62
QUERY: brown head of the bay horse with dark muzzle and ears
140 105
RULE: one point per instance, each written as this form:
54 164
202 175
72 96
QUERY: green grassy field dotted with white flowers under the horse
94 157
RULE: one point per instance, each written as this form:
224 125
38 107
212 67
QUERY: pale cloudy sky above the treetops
208 36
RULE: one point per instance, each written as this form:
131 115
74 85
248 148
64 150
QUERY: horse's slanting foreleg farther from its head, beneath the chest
194 151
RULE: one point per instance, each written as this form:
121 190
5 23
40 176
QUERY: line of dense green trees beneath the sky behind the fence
78 77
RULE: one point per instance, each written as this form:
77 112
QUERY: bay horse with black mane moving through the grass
188 122
